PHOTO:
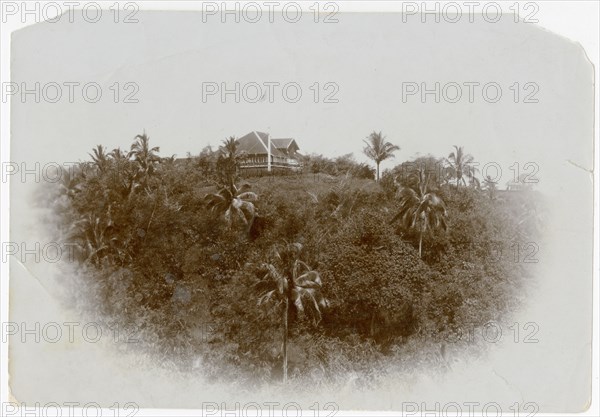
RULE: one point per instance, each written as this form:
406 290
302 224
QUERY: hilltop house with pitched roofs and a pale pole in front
263 153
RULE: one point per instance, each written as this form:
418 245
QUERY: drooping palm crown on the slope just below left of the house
235 204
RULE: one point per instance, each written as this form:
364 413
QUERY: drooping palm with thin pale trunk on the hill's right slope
421 209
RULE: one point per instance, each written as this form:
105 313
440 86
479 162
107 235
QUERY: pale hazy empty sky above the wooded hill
369 56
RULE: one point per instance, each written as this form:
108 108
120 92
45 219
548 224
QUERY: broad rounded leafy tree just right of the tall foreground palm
376 279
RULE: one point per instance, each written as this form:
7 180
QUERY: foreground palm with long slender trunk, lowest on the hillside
291 281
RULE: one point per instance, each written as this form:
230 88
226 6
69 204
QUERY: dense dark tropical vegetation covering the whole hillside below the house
306 276
